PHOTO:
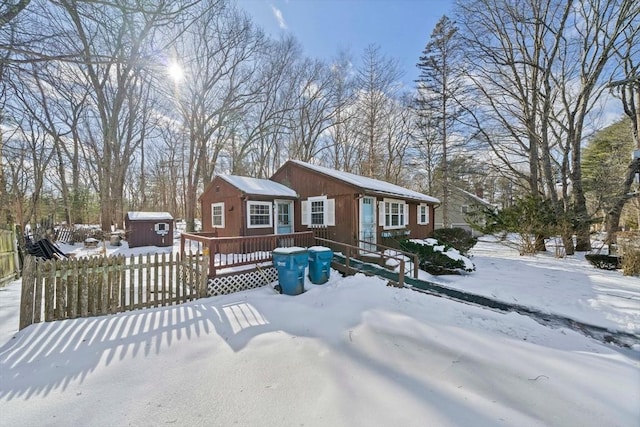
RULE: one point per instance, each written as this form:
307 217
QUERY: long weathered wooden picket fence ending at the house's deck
67 289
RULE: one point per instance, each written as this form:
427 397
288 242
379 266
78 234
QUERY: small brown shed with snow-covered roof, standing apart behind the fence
149 229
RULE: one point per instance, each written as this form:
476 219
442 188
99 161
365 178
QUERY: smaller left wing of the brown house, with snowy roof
235 206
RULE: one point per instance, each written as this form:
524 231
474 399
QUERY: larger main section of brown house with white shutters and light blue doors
356 210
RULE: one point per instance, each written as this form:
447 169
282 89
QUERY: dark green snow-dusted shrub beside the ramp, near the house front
437 257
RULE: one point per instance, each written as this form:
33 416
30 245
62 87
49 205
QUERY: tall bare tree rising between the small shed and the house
218 54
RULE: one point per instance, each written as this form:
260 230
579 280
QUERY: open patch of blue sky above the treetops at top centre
323 27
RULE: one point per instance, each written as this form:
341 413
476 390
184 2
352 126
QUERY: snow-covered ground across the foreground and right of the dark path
352 352
